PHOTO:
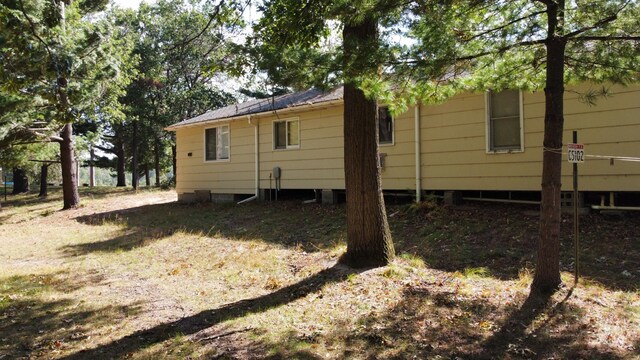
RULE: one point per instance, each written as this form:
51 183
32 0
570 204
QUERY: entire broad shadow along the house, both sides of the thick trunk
497 239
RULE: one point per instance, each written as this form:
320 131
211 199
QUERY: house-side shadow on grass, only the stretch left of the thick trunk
311 227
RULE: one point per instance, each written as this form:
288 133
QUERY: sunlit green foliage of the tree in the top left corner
54 71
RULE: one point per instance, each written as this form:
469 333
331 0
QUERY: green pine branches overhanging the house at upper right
475 45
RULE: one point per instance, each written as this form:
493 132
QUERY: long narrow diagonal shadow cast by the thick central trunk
190 325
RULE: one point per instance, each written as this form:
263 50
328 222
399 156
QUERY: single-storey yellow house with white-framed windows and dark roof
487 145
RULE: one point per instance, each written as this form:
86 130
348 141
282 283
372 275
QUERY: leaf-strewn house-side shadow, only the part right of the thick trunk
502 238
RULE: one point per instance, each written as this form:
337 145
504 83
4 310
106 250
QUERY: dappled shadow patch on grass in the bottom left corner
34 327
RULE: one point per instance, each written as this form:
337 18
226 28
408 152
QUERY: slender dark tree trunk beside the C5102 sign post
547 274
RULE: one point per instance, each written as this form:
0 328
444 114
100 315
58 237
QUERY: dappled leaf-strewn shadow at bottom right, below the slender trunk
430 323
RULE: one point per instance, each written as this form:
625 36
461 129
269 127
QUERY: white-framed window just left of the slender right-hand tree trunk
504 121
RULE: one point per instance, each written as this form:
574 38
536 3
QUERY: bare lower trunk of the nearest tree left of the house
70 193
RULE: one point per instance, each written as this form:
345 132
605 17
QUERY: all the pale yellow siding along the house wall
453 149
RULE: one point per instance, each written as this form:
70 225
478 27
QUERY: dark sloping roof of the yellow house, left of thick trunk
301 98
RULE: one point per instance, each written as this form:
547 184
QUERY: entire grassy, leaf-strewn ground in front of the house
137 275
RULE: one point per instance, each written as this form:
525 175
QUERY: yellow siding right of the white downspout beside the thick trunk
454 153
